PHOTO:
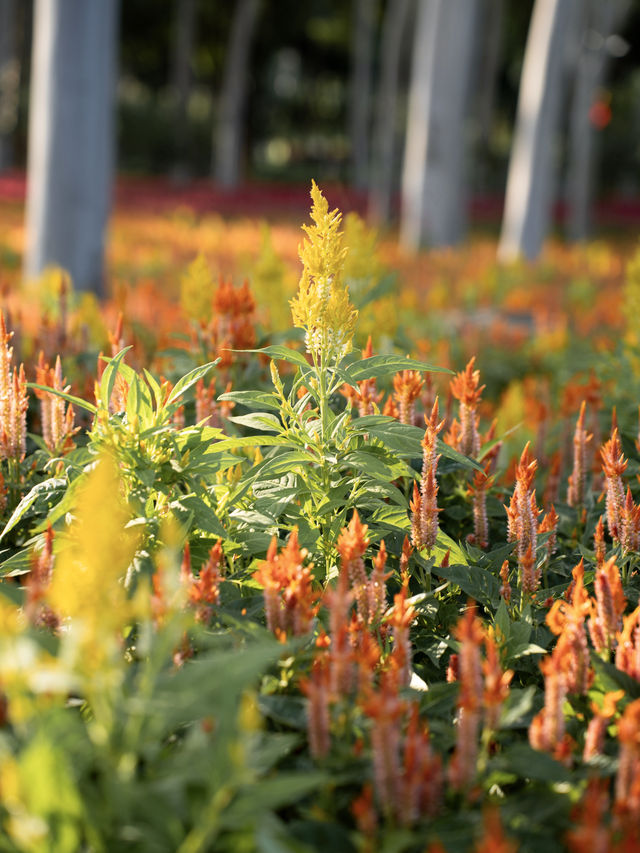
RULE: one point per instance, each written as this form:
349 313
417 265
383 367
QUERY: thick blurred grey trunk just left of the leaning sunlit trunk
433 175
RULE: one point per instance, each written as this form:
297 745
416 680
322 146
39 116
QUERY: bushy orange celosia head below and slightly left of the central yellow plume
289 595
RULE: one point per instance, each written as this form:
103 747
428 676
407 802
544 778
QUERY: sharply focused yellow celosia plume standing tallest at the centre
322 306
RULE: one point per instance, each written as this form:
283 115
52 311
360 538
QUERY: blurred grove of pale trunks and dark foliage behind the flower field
435 119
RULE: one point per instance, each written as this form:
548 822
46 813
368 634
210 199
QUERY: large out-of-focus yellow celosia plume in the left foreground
87 585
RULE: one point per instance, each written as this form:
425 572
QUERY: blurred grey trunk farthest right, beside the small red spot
599 22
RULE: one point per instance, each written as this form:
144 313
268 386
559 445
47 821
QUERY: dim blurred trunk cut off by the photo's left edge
9 80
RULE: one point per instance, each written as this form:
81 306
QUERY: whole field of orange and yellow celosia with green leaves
271 584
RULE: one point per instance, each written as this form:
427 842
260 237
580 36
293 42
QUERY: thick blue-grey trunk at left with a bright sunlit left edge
71 137
